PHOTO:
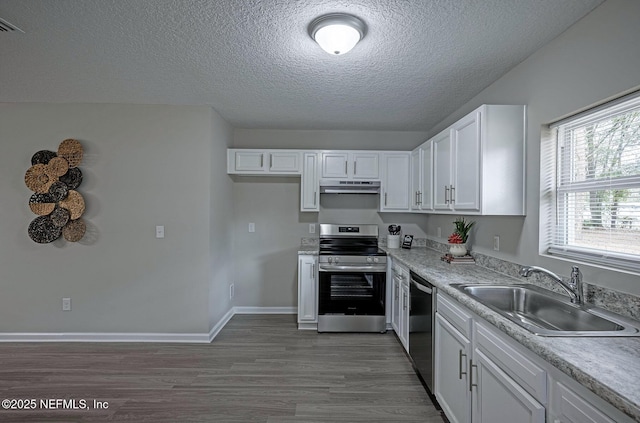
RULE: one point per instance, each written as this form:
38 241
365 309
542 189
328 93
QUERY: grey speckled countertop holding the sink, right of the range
609 367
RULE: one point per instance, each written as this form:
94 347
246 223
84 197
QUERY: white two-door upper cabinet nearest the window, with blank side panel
478 163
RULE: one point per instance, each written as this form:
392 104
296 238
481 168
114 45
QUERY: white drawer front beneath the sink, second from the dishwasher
528 374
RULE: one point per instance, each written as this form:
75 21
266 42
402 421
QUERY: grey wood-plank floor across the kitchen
260 368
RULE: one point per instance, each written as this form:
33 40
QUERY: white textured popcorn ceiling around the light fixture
254 62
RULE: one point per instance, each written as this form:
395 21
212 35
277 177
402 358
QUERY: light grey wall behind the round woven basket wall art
144 166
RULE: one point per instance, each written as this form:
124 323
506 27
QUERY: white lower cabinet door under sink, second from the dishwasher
498 398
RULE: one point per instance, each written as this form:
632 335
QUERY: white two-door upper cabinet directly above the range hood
350 165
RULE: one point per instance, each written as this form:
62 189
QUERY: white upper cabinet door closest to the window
465 136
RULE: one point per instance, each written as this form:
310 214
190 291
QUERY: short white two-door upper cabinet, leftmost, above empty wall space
264 162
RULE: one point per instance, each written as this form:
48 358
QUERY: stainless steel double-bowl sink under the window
546 313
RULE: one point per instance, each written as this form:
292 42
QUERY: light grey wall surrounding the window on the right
596 59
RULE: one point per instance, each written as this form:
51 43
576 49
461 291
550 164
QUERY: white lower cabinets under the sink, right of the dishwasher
484 376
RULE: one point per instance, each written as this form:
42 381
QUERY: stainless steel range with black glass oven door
352 279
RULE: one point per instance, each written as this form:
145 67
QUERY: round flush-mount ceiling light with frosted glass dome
337 33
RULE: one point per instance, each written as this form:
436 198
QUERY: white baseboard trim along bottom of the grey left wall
187 338
